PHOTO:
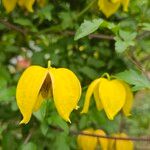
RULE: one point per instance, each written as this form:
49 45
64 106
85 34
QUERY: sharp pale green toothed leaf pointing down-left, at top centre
87 27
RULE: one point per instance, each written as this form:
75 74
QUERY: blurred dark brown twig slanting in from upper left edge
12 26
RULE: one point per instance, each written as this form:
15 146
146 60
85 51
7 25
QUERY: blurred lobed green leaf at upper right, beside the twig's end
124 40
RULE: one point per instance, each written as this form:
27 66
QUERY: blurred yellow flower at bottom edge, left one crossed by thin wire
86 142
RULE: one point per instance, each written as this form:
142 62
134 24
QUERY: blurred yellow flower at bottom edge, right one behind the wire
121 144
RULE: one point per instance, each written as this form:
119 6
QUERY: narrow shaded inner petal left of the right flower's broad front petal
97 98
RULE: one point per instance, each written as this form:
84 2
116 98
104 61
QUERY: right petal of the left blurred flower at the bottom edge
103 141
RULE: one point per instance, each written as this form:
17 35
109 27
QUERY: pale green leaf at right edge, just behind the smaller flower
133 77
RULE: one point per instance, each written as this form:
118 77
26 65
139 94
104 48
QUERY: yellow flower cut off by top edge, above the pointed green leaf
109 7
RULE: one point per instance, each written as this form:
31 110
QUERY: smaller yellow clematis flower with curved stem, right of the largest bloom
110 95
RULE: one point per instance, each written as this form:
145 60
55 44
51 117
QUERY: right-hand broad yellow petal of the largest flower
66 91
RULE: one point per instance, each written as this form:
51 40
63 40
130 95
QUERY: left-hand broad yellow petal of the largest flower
28 90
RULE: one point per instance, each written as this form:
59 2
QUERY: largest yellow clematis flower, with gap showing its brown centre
37 84
